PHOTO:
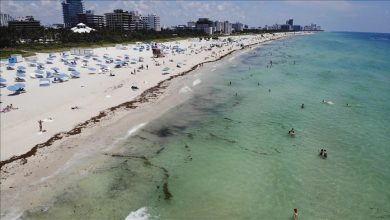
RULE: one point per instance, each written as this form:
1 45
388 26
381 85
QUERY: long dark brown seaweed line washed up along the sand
152 92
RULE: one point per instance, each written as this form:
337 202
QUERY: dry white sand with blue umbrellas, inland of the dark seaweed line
61 106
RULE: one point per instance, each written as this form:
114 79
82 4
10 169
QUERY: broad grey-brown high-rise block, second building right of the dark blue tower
118 20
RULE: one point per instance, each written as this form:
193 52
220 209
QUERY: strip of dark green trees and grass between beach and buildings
28 42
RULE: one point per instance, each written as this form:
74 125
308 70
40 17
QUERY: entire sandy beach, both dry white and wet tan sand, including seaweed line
102 101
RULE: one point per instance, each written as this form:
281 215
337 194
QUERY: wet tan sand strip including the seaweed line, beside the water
20 176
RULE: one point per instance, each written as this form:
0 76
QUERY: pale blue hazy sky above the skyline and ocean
332 15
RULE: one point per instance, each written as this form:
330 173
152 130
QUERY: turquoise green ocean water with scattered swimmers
225 153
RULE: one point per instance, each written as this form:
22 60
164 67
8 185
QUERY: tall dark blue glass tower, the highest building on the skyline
70 10
